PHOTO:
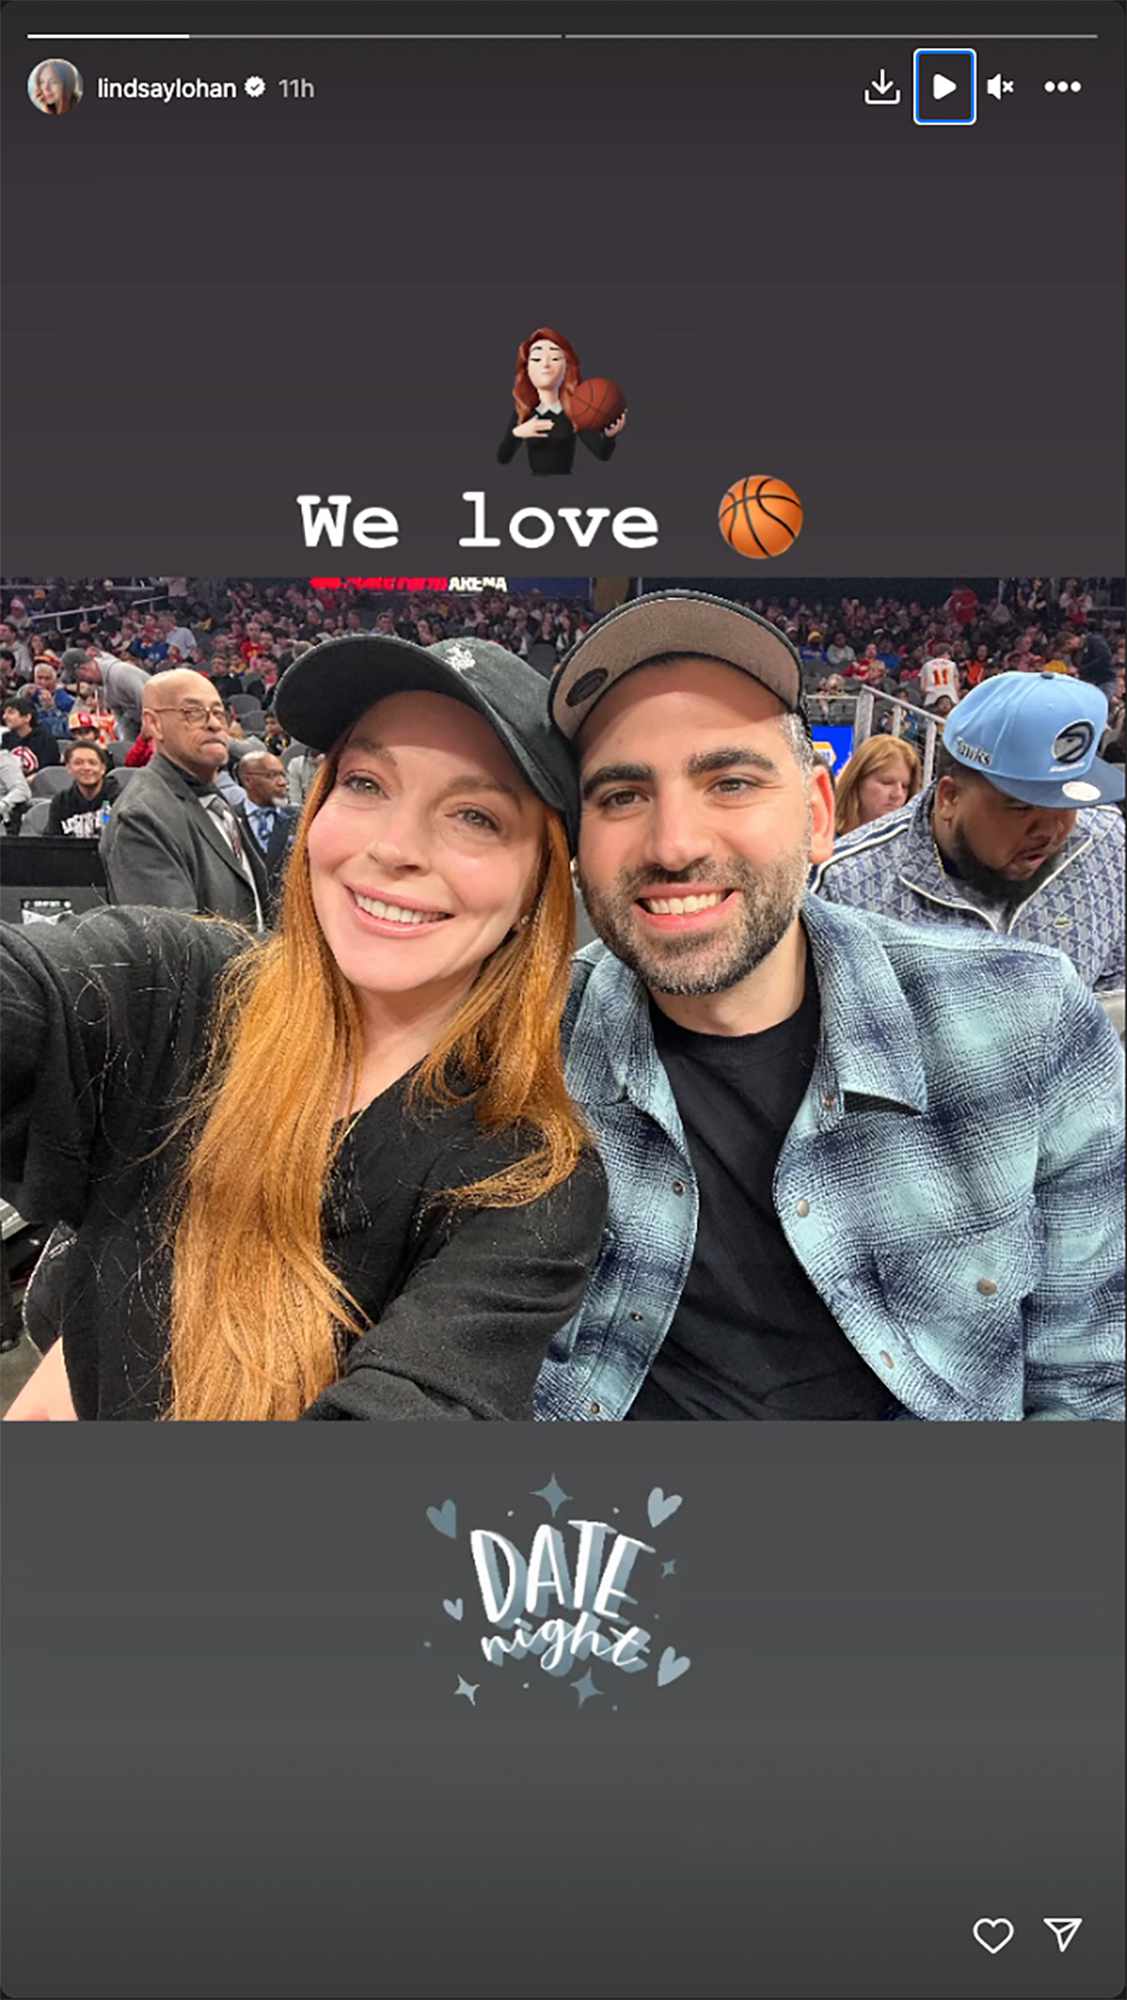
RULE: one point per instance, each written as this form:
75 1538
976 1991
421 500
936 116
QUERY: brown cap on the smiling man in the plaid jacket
666 623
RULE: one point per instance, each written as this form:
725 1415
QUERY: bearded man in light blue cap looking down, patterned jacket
1010 839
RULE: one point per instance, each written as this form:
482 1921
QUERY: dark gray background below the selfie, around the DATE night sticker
233 1767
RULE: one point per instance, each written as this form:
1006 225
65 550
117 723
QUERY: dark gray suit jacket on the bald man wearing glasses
165 849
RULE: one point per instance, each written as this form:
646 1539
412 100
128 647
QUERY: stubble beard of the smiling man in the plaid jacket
688 965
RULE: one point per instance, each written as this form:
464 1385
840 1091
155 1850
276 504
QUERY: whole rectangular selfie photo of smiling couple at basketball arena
578 1001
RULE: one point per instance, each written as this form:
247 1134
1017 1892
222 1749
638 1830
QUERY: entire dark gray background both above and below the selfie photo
231 1763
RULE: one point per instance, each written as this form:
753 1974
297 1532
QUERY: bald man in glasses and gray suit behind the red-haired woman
173 839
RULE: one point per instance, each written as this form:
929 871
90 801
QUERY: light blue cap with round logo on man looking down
1036 737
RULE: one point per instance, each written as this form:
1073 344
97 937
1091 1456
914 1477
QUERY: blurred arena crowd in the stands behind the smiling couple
75 655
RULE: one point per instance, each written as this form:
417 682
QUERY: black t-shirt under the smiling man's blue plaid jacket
752 1337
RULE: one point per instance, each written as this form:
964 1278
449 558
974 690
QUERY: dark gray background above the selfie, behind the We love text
219 307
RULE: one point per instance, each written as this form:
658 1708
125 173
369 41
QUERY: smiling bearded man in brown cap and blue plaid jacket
858 1169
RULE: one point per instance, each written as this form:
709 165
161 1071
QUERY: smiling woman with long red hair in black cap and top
337 1173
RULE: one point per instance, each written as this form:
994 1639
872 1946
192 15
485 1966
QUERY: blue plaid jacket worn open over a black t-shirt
952 1183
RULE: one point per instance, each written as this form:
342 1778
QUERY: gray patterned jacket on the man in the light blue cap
894 867
